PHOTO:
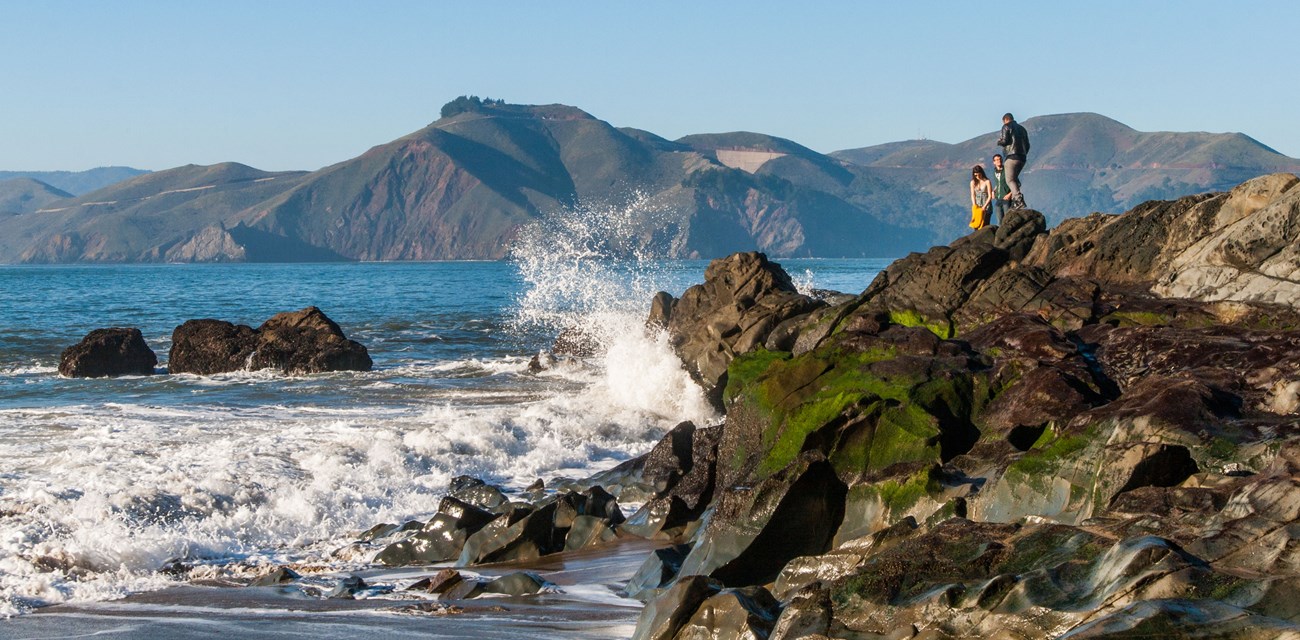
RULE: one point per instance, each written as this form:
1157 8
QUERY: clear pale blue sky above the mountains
301 85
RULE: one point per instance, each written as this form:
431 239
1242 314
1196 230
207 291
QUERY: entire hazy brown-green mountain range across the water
465 187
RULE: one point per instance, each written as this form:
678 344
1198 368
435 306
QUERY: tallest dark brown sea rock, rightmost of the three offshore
306 341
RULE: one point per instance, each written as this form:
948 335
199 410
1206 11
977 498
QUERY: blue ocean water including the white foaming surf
105 483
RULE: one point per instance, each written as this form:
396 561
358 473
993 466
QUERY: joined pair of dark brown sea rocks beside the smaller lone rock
293 343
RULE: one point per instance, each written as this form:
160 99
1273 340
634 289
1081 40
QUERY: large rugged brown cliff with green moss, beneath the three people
1093 433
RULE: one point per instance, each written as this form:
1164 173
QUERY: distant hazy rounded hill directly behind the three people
1080 163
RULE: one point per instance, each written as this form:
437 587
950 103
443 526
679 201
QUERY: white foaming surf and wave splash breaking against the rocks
242 470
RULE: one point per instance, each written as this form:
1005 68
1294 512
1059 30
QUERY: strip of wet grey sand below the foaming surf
588 608
